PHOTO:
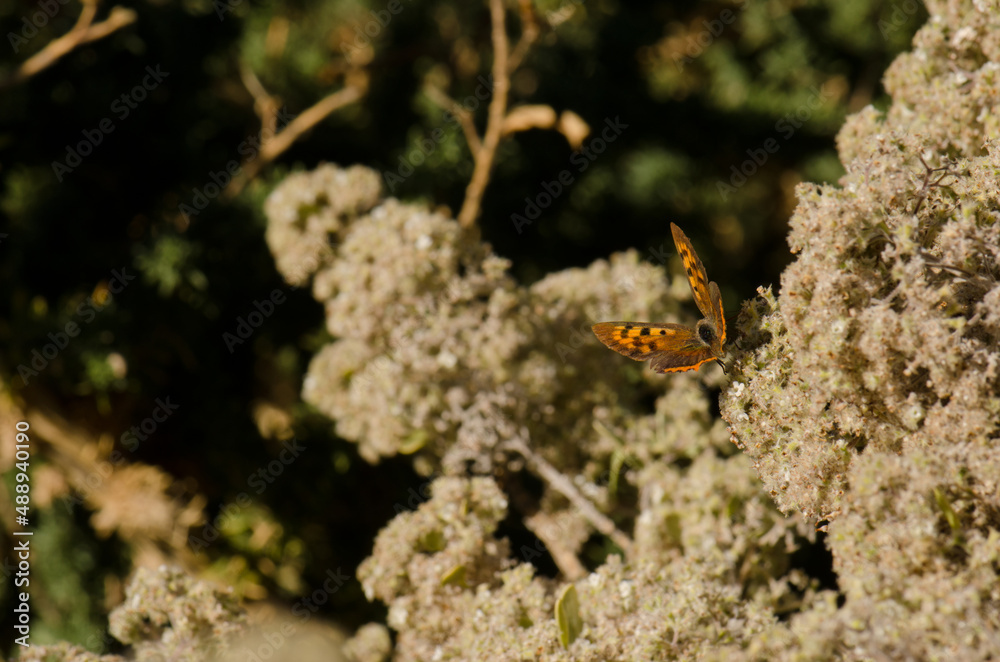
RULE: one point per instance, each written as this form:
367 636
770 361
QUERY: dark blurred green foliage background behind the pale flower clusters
703 87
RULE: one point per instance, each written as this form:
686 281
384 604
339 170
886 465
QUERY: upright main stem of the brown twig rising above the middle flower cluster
494 123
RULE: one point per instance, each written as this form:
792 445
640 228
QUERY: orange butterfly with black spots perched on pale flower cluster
675 347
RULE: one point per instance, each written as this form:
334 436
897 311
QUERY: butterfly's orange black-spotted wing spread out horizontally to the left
671 347
